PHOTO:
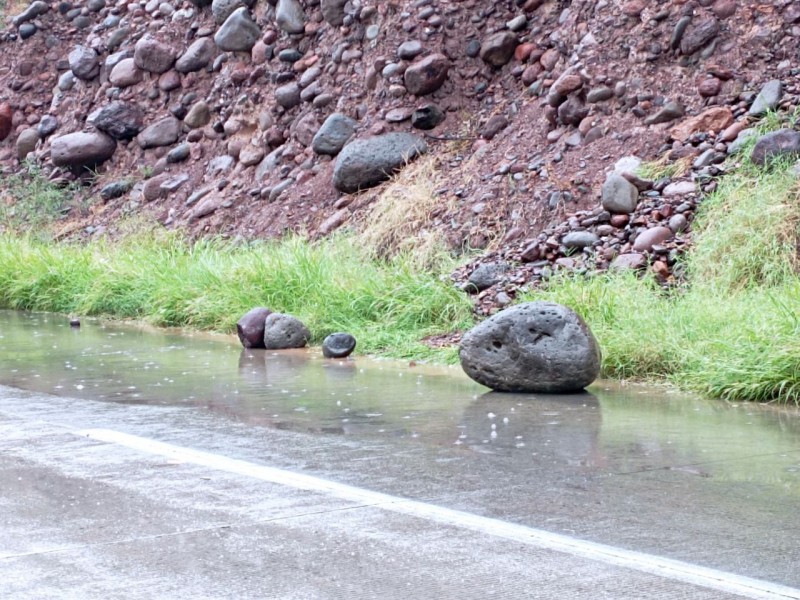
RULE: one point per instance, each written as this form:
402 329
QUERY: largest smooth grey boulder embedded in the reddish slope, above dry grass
366 163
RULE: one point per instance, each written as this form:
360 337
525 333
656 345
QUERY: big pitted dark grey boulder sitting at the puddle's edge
537 347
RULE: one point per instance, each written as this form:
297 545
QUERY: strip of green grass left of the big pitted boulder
332 286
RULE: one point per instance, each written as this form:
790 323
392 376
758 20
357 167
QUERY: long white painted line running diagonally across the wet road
655 565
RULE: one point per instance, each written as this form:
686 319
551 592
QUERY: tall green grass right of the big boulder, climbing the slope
734 331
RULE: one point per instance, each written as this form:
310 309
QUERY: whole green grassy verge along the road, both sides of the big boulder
732 332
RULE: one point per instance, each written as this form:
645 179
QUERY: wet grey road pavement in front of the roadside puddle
91 508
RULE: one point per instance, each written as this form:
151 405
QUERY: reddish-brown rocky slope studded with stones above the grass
230 116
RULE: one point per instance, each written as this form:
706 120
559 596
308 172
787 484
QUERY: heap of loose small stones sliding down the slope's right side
639 223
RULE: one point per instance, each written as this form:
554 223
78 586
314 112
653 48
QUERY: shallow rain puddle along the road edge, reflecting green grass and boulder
612 429
